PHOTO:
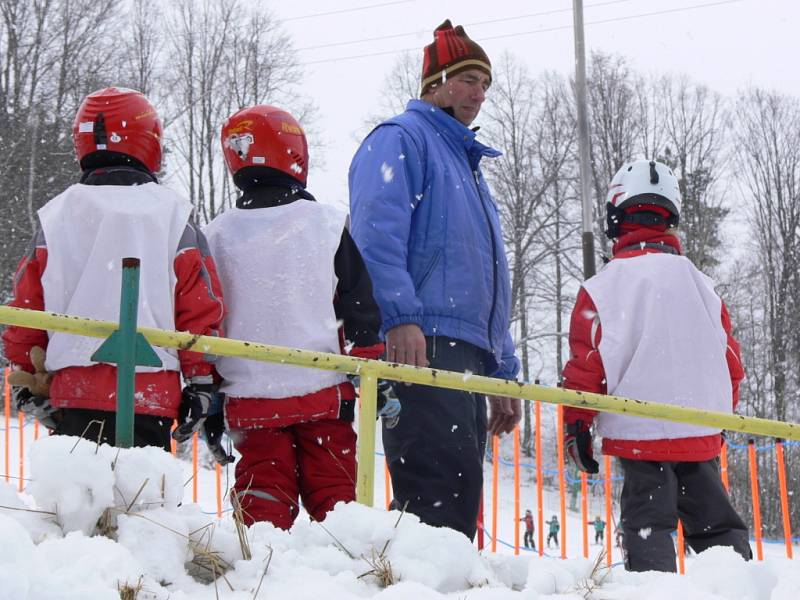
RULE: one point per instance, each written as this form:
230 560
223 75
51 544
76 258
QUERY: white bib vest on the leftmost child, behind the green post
89 230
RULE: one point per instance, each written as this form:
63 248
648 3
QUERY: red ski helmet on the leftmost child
119 120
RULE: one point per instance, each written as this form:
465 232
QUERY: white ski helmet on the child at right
645 182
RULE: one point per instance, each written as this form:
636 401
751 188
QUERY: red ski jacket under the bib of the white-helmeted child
584 370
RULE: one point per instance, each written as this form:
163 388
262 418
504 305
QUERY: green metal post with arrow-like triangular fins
127 348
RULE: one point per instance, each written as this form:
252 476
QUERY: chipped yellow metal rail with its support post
372 370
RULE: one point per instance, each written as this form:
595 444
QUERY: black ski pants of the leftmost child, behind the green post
148 430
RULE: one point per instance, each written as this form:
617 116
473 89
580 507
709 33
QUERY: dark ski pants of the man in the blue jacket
435 453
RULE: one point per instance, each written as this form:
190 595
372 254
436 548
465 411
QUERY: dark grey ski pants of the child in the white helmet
656 494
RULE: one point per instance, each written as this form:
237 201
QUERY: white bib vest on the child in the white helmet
662 341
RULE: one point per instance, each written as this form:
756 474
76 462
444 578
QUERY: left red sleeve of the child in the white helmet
584 371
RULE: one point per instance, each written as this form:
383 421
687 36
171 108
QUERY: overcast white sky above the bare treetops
725 44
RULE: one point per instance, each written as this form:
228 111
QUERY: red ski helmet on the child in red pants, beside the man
265 136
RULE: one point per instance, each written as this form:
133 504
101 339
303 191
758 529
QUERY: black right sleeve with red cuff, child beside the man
354 303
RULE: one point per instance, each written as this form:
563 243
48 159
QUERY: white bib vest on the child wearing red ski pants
276 269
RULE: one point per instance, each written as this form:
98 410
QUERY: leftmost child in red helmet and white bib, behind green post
74 264
